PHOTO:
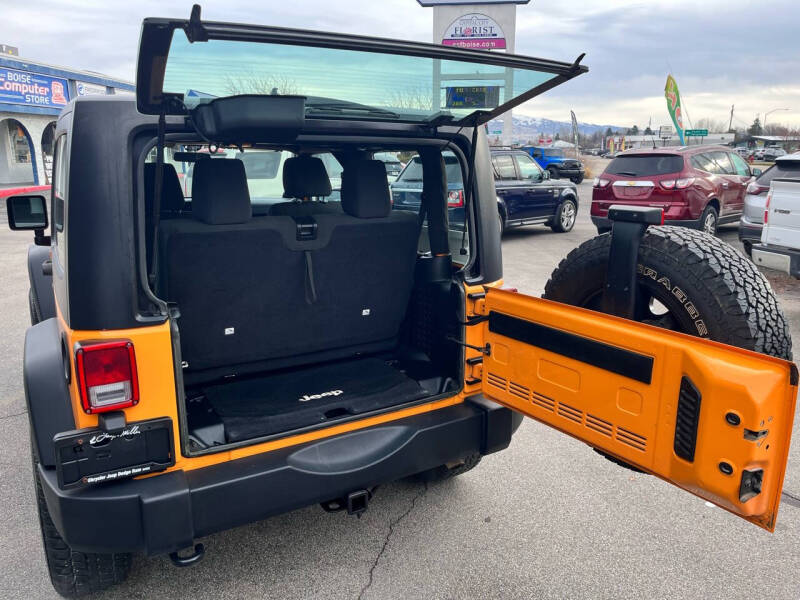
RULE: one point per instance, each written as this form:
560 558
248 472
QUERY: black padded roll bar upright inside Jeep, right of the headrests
434 199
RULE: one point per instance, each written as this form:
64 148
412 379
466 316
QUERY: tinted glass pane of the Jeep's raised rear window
342 83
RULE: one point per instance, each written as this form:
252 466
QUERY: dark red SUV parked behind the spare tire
696 186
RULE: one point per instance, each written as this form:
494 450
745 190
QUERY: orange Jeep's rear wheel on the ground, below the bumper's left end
72 573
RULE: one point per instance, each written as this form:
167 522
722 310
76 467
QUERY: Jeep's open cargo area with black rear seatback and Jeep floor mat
321 305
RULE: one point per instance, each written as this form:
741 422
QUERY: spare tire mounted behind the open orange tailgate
688 281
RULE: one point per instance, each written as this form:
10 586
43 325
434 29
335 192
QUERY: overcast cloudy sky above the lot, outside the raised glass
721 52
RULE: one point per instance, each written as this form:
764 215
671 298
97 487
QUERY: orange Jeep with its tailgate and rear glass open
207 357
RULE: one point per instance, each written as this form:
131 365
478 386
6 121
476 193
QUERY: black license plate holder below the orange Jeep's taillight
91 456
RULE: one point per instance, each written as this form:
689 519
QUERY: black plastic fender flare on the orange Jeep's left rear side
45 369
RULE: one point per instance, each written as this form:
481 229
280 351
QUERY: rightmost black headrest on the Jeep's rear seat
365 189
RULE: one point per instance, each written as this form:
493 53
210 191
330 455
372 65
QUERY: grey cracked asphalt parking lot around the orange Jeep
548 518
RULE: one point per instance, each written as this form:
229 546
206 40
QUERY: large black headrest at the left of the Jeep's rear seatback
219 192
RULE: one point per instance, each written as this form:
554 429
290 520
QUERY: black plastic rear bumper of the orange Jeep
166 513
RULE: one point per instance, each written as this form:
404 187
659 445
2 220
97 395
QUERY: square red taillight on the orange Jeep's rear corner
106 373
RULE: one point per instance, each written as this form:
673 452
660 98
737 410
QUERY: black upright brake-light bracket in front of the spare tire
629 224
